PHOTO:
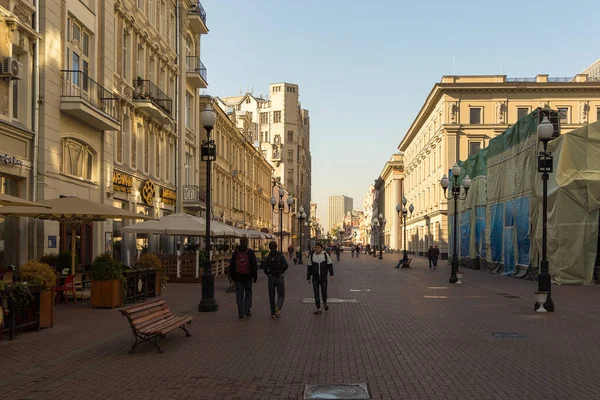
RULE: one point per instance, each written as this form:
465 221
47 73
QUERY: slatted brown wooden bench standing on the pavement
153 320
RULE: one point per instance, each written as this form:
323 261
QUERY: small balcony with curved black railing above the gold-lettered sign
152 101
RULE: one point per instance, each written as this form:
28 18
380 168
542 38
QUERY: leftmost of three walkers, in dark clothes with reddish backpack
243 270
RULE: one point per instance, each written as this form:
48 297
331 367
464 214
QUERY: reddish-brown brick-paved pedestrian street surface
411 335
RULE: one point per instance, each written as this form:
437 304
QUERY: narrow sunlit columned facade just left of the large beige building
389 186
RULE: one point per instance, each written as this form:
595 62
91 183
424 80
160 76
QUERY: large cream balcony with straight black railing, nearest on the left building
85 99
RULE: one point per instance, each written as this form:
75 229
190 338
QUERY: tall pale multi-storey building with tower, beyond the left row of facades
280 128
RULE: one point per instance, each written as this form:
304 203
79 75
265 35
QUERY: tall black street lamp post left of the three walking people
208 154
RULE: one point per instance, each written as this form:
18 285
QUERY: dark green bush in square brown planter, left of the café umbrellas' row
107 282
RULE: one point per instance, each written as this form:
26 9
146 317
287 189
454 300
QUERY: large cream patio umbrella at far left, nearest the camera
71 210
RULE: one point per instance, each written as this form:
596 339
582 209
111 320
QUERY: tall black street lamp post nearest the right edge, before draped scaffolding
544 131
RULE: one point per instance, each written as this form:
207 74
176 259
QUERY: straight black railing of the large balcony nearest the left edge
77 84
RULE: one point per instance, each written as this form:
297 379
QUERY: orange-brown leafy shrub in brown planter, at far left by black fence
39 273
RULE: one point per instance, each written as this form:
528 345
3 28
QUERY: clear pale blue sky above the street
365 68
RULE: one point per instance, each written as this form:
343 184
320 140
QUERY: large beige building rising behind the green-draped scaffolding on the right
459 117
